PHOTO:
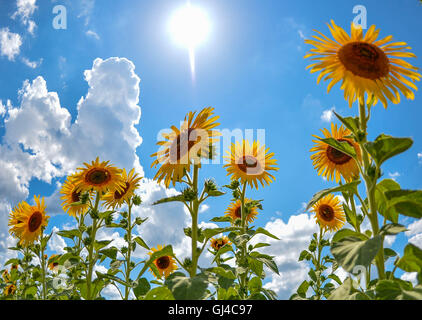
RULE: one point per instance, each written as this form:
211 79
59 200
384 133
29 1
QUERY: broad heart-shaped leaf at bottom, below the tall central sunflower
184 288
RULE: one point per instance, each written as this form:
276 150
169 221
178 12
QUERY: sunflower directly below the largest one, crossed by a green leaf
333 163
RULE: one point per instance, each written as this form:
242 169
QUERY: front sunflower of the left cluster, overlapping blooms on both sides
98 176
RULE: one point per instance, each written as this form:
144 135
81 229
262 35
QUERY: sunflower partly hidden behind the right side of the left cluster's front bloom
117 198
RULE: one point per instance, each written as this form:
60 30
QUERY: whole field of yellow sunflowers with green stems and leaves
372 72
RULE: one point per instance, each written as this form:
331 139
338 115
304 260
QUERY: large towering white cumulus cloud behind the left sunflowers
41 142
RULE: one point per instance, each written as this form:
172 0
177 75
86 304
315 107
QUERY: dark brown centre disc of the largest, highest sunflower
364 60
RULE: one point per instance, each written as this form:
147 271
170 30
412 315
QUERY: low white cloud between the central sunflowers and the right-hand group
295 236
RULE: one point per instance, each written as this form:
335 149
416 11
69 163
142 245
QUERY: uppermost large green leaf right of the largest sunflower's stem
386 147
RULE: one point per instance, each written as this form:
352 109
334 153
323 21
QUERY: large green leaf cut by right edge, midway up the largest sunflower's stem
406 202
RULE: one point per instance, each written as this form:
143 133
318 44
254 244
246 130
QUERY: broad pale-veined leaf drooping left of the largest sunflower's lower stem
351 251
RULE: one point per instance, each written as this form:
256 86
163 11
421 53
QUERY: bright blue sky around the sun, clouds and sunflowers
251 69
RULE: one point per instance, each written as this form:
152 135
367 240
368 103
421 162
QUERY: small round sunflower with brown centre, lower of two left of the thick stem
329 213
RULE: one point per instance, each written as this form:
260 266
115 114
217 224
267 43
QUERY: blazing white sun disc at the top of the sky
189 26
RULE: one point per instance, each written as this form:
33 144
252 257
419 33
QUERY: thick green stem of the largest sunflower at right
370 189
